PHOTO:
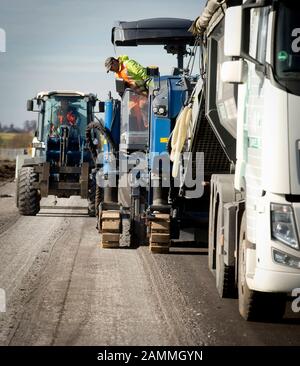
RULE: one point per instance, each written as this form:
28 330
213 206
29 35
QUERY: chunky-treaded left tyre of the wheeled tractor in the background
28 196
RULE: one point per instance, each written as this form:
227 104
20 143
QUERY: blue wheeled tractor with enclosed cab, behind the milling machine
61 163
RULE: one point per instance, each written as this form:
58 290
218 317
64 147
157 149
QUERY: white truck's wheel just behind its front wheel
225 275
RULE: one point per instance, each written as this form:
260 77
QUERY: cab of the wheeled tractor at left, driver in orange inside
62 123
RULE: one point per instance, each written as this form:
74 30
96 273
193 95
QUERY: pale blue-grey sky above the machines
62 44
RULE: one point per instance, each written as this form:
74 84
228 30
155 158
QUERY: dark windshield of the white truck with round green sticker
287 44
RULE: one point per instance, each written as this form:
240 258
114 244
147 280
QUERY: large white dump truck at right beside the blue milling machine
251 99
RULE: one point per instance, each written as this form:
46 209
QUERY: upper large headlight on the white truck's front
283 225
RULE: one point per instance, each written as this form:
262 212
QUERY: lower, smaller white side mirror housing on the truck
234 71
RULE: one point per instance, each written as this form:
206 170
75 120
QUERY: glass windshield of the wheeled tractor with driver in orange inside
65 111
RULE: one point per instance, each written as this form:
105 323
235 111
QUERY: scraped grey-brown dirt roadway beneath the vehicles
62 288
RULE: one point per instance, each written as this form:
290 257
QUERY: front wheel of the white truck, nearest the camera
256 305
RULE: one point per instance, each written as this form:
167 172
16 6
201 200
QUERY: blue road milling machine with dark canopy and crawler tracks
141 203
